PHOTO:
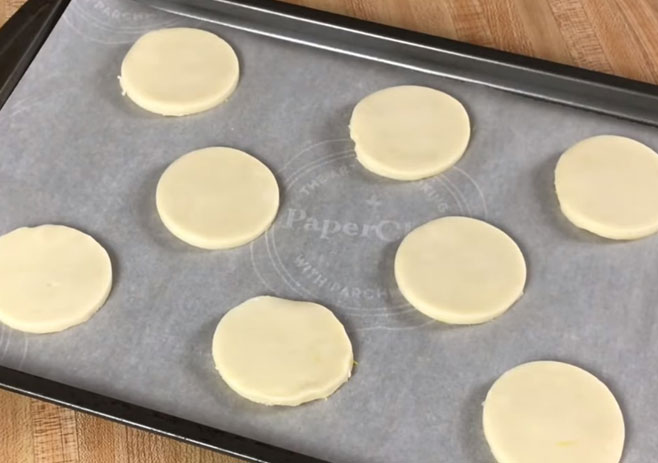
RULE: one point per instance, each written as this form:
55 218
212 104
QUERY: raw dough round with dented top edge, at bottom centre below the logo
280 352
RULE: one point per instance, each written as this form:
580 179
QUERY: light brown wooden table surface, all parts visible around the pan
613 36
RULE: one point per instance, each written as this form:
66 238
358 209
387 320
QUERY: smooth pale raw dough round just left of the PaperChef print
217 198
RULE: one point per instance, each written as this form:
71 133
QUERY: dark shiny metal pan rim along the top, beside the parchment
537 78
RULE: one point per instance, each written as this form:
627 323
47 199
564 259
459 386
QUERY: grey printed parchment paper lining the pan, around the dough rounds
74 151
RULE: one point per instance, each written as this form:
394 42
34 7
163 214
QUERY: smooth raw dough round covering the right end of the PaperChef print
460 270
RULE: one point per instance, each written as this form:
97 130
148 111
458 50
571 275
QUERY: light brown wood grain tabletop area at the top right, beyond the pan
614 36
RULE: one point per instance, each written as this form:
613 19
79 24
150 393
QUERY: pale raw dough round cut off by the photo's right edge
608 185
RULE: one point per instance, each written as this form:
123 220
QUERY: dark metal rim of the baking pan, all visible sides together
28 29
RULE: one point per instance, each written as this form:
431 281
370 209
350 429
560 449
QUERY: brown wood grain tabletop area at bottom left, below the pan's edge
32 431
